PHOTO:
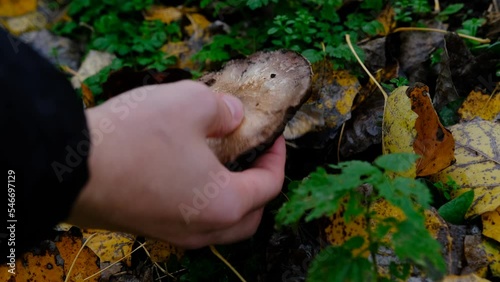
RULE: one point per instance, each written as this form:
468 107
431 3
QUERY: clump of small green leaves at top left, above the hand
118 27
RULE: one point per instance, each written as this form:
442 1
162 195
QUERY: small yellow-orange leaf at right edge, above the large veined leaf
482 105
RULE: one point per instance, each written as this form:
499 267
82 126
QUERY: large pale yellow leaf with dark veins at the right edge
478 164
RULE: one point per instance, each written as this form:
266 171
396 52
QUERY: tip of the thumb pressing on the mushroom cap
228 116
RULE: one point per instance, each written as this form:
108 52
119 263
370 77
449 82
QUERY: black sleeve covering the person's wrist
45 146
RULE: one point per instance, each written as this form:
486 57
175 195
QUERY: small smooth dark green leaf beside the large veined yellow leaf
454 211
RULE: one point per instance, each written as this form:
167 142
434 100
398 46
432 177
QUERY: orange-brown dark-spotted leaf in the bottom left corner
53 260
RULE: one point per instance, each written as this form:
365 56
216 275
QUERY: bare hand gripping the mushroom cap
152 173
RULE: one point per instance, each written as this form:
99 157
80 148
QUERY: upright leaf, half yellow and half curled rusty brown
411 125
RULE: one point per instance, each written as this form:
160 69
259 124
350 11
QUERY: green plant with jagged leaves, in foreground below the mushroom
323 194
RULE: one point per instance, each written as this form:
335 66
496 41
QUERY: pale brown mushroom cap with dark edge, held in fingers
272 85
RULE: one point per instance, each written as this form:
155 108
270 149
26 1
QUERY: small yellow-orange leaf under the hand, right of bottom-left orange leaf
110 246
